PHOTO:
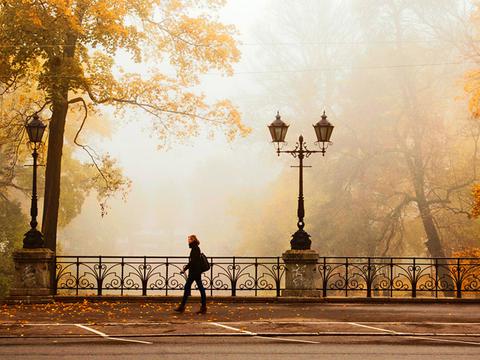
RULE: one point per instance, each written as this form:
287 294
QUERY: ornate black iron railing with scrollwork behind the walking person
265 276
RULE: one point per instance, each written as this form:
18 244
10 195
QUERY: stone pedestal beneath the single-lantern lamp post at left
33 271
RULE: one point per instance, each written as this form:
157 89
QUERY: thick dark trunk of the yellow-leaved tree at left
53 172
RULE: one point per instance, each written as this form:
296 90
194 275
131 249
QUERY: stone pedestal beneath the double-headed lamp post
300 273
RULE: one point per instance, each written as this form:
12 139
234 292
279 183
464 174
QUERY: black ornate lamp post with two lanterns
278 131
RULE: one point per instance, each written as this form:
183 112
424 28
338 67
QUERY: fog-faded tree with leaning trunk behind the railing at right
428 160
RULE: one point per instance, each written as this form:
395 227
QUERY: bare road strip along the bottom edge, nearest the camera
235 348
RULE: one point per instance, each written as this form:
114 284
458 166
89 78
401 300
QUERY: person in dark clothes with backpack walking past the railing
194 268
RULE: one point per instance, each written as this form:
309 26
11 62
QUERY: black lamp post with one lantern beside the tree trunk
33 238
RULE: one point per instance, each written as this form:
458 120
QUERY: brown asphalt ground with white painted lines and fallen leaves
242 331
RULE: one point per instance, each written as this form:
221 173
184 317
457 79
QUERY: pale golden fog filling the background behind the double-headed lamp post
390 76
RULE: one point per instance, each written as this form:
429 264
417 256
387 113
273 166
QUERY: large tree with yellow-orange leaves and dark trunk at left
69 49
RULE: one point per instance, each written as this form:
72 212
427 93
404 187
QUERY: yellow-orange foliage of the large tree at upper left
65 30
